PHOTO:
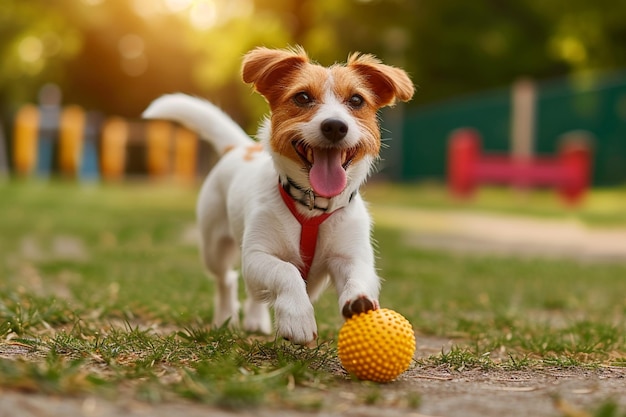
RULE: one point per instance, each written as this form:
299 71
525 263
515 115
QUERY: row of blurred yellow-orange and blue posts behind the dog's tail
79 146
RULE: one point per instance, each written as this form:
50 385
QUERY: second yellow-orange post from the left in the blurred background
72 128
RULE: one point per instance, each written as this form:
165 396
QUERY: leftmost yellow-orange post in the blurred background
25 139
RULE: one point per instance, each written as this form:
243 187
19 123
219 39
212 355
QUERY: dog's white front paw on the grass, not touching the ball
296 323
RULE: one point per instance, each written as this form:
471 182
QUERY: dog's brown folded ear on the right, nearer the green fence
388 83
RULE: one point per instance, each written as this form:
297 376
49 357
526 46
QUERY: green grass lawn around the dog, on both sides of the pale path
102 290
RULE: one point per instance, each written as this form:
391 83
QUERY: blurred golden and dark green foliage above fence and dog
117 55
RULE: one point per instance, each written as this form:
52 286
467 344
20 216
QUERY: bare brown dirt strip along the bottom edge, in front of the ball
540 393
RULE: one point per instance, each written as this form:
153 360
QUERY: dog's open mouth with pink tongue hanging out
327 167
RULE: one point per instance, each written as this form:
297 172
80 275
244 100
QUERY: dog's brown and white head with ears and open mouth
324 126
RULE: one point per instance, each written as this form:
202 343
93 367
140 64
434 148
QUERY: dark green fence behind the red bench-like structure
596 104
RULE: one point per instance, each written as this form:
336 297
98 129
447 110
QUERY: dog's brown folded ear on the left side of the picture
267 68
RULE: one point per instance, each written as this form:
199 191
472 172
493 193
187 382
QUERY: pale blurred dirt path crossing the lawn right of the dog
466 232
